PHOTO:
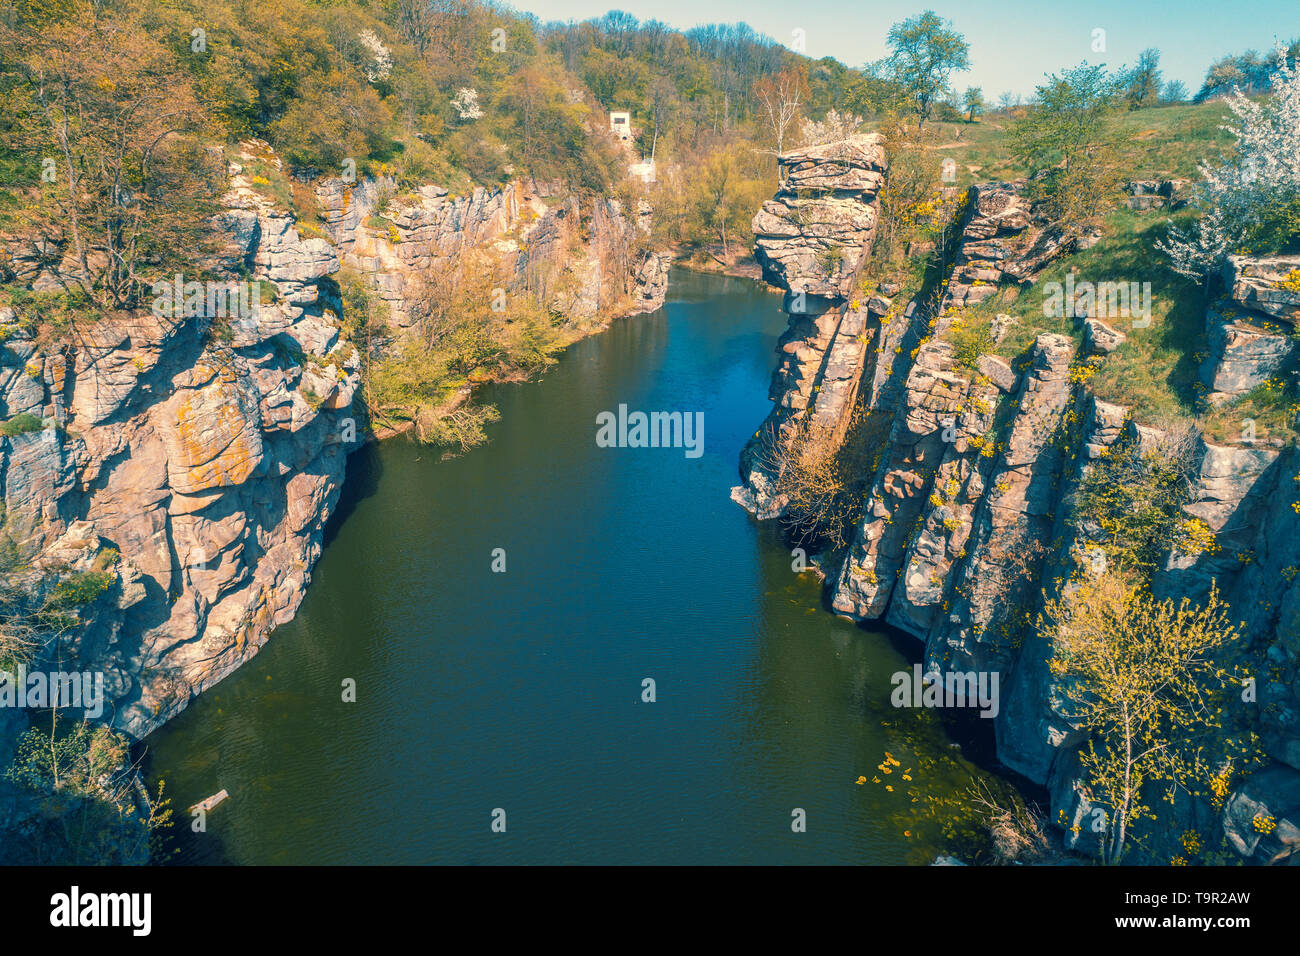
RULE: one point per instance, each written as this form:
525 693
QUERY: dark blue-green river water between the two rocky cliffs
523 691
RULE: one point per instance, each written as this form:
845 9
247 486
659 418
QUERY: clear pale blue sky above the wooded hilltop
1013 42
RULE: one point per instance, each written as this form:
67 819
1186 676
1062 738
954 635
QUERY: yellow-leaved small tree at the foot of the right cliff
1143 681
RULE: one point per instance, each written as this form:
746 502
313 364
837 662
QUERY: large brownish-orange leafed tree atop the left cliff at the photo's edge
103 106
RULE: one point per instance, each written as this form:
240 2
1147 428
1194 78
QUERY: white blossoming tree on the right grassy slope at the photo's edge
1254 201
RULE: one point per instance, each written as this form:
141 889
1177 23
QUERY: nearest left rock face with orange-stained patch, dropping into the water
207 453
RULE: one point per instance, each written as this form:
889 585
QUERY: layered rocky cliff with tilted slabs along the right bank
967 524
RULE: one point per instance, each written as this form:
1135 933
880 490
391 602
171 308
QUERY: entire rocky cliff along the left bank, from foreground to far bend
189 458
